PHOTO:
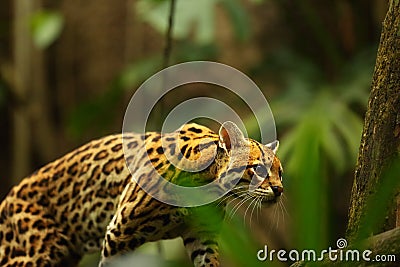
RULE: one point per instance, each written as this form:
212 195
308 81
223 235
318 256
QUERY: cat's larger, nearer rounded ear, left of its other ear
230 136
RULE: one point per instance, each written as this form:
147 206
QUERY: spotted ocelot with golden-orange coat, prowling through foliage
88 200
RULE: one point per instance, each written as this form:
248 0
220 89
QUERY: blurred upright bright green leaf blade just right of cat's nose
306 170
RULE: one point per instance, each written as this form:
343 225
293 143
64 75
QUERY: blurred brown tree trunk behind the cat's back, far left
33 133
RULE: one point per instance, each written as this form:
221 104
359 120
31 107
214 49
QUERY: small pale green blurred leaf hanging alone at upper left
46 27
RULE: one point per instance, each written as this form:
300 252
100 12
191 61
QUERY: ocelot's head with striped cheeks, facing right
253 167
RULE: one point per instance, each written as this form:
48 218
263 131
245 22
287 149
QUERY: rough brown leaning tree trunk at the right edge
381 135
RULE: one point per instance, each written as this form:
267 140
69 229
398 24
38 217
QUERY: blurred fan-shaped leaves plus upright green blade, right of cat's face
320 129
